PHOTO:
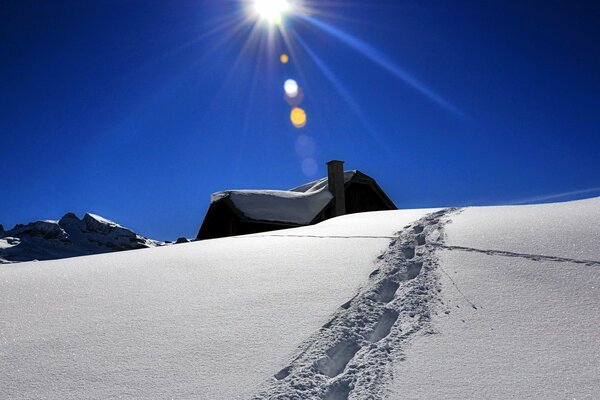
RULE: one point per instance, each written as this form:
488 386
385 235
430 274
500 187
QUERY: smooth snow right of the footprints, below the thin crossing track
533 336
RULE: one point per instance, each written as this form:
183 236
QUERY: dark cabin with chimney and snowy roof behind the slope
239 212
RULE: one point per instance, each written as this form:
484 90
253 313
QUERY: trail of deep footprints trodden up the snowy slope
350 357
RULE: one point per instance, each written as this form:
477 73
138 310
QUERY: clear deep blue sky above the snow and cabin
138 110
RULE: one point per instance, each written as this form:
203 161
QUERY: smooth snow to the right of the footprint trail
533 272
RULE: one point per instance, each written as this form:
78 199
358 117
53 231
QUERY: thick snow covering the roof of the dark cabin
299 205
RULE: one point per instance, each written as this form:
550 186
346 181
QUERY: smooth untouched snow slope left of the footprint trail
209 320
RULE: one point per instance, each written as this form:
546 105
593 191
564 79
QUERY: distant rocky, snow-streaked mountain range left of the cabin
68 237
